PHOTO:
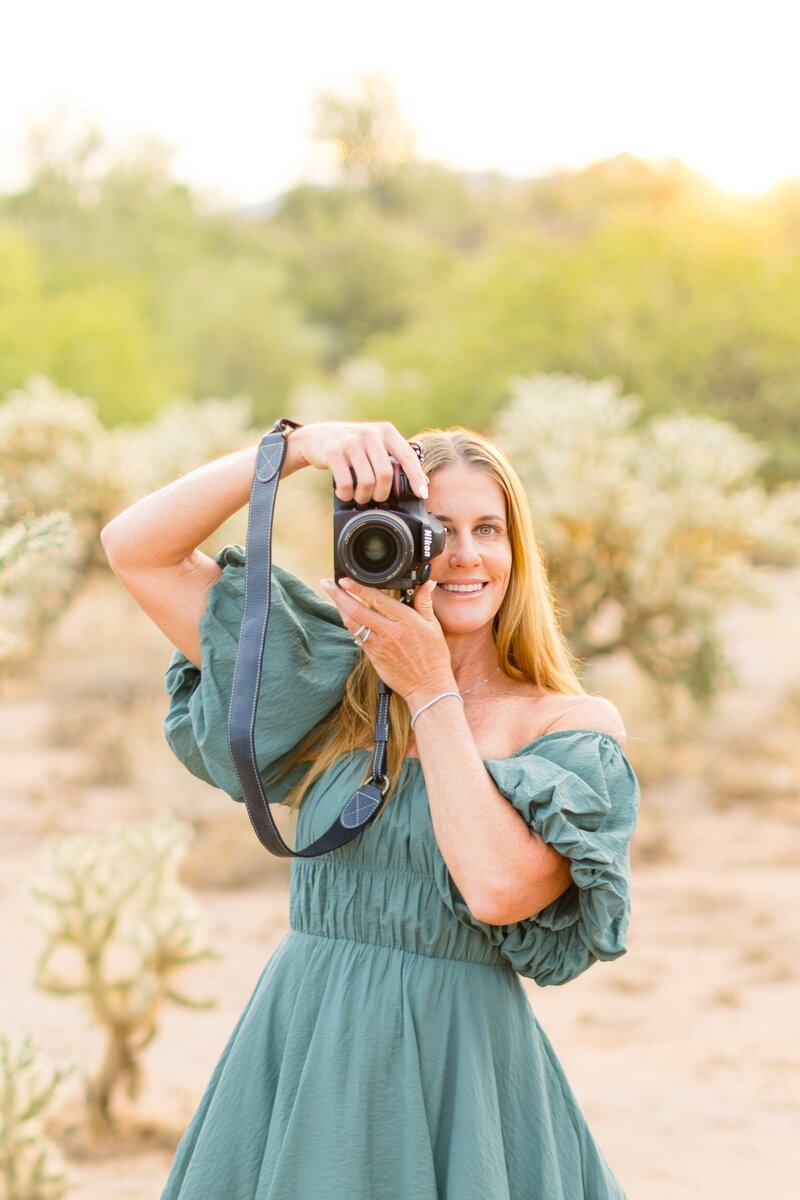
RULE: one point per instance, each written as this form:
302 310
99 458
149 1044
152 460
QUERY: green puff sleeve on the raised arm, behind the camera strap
308 659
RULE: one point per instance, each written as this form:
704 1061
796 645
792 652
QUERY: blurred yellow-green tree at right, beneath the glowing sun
685 301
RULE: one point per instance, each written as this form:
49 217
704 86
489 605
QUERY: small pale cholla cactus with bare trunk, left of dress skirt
113 905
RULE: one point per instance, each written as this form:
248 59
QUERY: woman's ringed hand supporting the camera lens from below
407 645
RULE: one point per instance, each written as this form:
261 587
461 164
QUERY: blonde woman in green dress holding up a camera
389 1051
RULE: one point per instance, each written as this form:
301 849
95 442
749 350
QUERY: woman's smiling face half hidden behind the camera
472 507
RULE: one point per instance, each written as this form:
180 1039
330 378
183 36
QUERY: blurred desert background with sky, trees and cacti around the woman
578 231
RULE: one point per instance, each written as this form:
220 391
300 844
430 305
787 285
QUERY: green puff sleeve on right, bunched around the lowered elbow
579 791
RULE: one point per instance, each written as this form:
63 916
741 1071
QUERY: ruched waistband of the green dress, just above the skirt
383 908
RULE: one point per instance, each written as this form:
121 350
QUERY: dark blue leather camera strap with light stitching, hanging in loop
368 800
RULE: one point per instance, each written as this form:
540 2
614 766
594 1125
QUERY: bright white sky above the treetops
514 86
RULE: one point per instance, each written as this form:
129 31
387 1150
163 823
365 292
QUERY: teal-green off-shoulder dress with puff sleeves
389 1051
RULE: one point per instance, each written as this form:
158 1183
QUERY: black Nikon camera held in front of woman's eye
387 544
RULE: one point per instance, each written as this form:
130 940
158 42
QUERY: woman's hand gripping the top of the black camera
359 449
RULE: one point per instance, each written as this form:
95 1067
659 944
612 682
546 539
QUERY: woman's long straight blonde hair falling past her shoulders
528 638
